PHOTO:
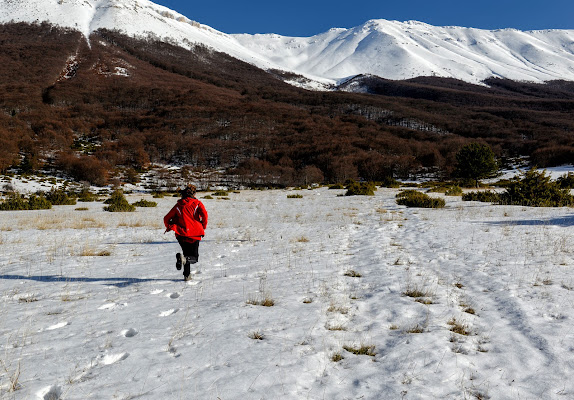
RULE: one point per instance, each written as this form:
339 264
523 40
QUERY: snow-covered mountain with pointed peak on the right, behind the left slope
402 50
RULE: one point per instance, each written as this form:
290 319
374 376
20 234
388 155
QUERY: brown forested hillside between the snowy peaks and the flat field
124 103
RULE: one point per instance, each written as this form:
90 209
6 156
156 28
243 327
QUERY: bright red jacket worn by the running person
188 219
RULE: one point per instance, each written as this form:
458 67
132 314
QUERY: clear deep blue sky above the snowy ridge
307 18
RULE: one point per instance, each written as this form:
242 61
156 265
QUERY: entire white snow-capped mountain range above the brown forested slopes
389 49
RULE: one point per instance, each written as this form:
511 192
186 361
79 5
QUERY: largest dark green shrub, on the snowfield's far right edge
536 189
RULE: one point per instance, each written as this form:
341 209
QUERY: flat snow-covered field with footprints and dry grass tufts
93 307
